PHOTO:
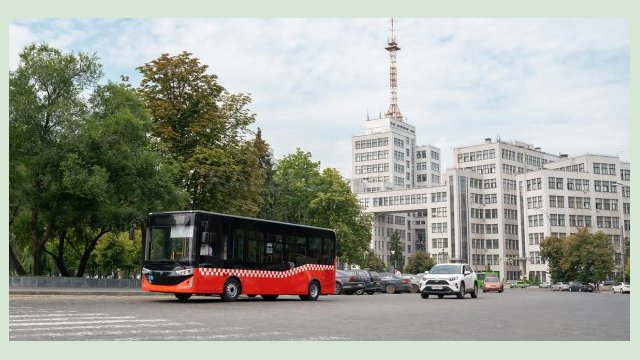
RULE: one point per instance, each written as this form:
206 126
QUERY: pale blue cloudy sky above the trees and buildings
559 84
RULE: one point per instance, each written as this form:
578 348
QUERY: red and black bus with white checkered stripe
203 253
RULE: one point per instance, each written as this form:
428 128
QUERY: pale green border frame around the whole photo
304 9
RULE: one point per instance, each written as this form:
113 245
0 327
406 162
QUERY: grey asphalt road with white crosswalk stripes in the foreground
516 314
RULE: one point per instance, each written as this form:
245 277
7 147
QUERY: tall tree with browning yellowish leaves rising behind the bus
202 129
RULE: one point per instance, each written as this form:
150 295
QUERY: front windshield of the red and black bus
171 239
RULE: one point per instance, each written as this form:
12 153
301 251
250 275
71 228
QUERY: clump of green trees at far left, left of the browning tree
79 167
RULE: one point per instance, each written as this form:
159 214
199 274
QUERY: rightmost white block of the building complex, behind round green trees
590 191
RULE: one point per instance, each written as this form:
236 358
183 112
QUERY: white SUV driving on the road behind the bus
449 279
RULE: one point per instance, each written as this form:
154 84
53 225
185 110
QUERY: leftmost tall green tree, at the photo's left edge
45 104
